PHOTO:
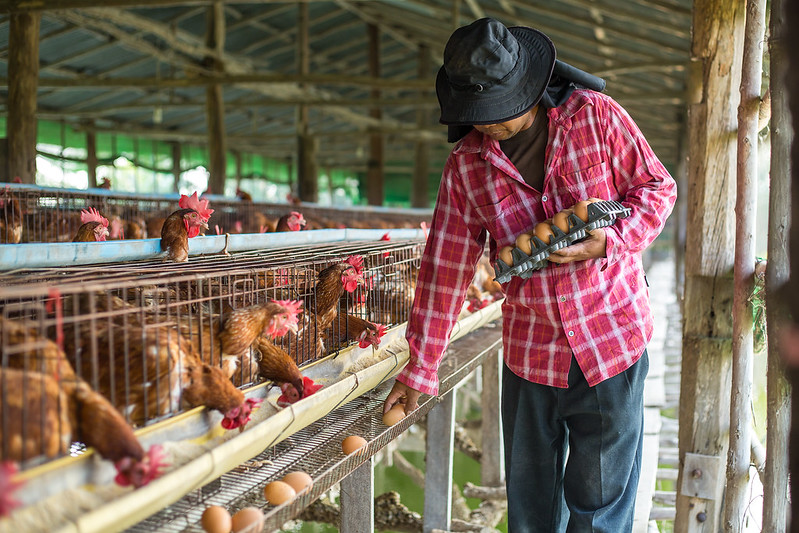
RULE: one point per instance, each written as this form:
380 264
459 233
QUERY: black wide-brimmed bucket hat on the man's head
492 73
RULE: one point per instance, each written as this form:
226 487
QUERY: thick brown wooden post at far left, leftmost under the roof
23 75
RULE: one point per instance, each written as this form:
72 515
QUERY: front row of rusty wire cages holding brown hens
156 340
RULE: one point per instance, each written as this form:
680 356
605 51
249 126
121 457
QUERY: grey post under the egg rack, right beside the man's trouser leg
491 462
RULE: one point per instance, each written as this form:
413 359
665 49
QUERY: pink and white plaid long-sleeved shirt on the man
597 310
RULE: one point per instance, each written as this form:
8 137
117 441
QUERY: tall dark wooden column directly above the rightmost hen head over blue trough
307 170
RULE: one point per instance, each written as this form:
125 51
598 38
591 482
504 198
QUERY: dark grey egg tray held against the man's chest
600 214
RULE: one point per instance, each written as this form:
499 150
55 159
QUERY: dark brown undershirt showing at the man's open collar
527 150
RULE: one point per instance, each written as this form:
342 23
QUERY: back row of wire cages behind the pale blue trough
36 214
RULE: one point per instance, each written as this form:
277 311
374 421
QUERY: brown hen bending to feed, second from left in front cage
147 369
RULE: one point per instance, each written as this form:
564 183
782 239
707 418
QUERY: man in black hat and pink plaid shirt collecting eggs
575 333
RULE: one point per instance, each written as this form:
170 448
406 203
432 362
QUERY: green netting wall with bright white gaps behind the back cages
141 165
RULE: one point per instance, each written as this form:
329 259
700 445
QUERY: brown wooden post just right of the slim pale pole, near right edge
778 391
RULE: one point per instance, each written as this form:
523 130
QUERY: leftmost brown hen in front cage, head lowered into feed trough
45 407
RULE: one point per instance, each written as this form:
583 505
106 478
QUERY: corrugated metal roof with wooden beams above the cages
122 62
